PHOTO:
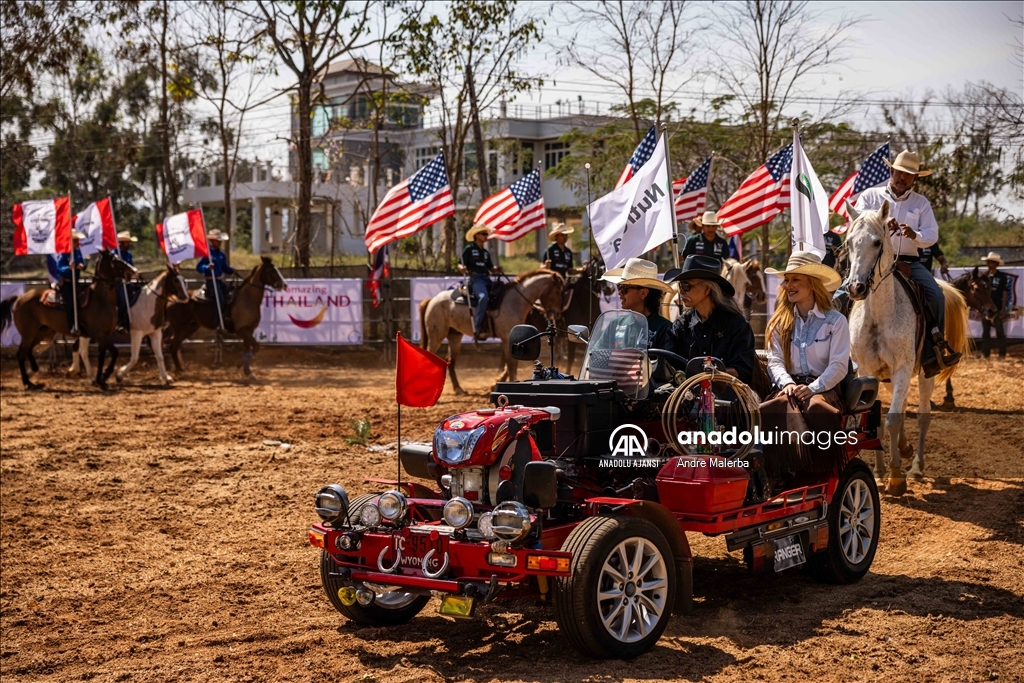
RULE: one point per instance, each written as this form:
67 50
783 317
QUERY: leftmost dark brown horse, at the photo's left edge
37 323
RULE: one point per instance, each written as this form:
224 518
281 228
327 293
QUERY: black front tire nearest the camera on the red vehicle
595 546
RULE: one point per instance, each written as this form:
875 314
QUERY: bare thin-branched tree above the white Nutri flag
642 49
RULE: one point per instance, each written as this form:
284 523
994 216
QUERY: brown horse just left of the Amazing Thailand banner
242 318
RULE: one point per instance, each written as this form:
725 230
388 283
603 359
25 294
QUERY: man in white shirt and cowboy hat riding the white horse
913 225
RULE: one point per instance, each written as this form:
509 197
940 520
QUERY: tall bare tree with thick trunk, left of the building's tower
308 37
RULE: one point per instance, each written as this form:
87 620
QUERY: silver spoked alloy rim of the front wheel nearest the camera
632 590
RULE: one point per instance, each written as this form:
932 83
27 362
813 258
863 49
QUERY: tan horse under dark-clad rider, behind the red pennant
441 317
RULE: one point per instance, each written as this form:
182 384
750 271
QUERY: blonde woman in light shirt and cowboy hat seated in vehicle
808 346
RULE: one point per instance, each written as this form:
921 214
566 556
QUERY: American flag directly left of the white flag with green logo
761 198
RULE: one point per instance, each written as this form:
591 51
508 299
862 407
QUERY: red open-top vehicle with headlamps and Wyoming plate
580 492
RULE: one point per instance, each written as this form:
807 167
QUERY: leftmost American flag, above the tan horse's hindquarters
422 199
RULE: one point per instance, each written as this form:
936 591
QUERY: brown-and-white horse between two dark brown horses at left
147 321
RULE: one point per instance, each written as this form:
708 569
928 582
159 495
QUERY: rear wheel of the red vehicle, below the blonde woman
851 547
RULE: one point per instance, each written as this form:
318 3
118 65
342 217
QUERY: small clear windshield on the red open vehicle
618 351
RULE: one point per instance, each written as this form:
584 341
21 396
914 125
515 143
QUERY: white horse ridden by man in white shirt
885 341
